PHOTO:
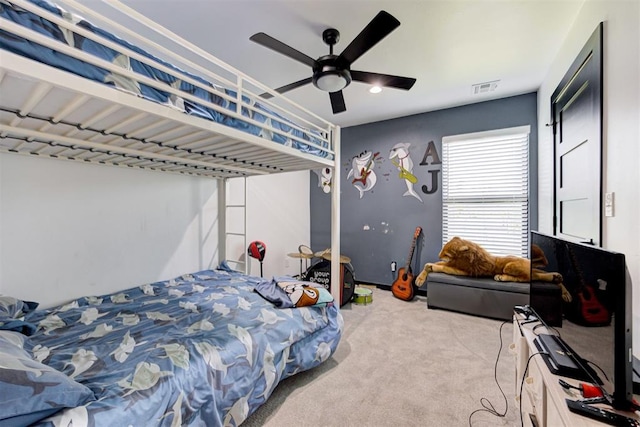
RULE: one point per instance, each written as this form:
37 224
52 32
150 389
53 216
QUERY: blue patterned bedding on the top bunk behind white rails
48 56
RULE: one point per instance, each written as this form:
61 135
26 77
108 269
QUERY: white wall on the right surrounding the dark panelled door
621 128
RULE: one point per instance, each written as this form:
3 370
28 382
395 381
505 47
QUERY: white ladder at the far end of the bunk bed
233 223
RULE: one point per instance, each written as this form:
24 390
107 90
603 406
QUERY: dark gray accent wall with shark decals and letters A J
378 228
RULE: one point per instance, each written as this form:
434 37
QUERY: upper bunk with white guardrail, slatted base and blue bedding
74 91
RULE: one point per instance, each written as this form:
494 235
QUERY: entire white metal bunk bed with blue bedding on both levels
91 90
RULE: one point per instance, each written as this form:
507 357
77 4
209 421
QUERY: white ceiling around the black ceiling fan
447 45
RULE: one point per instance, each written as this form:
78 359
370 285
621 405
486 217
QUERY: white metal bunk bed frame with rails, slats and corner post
45 111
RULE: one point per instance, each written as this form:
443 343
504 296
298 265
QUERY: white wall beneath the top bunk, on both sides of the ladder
69 229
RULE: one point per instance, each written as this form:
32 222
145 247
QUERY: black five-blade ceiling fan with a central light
332 73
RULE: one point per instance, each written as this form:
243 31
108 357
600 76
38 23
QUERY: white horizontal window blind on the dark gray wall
485 190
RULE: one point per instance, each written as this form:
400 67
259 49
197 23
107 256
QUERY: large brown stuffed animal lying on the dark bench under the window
465 258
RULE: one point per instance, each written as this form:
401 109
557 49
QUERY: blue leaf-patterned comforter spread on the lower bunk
200 349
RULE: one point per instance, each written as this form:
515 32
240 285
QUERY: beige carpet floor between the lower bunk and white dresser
402 364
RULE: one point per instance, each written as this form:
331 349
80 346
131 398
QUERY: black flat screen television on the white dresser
593 329
